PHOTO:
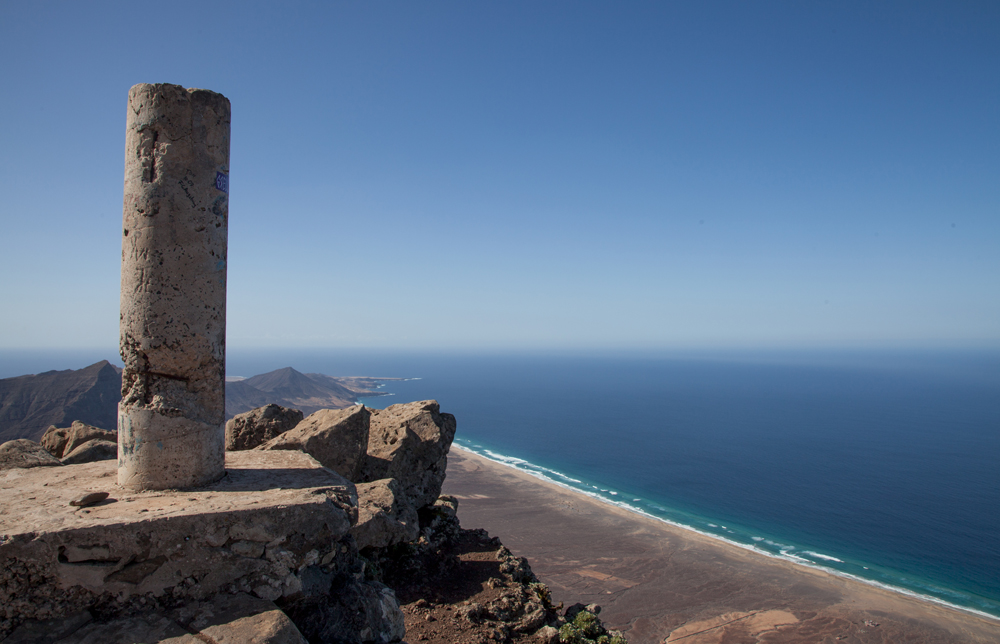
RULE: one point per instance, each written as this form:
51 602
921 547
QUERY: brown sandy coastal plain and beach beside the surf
662 583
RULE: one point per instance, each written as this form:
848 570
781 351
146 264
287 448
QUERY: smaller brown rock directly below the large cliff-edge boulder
382 519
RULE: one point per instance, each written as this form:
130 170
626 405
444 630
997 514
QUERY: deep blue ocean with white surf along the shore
880 465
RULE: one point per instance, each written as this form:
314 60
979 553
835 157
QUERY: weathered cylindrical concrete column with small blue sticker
171 420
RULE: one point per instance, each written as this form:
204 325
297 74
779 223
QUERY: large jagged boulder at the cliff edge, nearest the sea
410 443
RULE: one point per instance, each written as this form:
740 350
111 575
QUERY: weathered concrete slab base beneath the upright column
275 516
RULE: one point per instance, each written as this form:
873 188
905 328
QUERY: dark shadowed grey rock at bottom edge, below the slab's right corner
355 613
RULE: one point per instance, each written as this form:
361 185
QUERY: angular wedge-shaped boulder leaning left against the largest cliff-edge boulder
337 438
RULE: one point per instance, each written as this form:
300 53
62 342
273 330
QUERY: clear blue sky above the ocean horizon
529 175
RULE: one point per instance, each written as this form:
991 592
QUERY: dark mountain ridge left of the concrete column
30 404
